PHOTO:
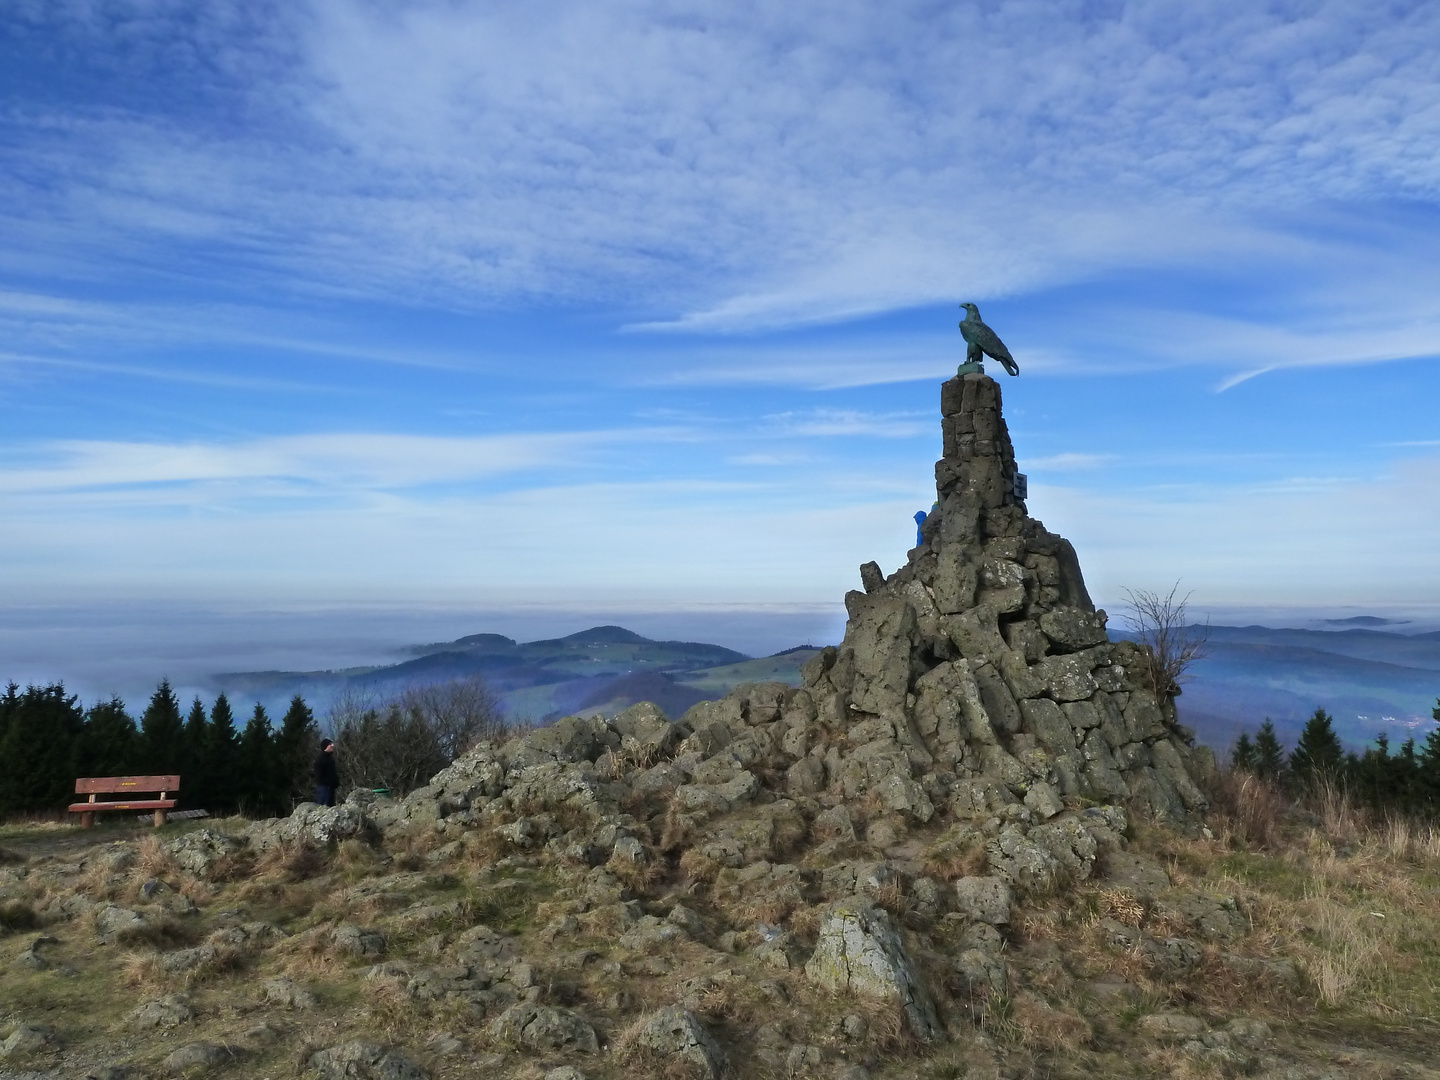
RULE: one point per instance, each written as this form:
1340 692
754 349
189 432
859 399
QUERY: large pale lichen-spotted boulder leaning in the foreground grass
860 953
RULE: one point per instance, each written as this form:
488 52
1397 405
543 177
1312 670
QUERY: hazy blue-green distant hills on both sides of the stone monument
1370 680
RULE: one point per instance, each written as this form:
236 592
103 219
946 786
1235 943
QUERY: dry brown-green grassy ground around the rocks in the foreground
1331 947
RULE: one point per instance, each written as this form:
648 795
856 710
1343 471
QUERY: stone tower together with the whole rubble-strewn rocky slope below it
976 742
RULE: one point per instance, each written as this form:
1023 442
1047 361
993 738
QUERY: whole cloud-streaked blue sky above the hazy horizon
643 307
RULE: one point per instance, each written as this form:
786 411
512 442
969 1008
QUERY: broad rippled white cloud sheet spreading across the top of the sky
729 169
